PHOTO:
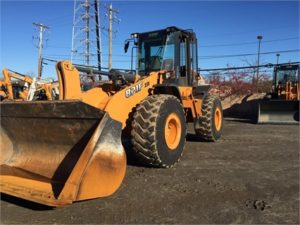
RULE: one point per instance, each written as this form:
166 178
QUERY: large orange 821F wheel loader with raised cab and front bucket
59 152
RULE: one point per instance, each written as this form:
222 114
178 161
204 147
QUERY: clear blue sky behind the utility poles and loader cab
215 23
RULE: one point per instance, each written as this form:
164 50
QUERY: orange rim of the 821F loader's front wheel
172 131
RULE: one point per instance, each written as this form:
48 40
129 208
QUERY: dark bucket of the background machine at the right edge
278 112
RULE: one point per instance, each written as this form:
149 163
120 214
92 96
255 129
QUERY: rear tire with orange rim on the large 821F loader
209 126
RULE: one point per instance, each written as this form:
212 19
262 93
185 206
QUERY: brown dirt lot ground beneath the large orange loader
250 176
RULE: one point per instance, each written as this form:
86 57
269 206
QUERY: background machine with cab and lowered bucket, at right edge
281 106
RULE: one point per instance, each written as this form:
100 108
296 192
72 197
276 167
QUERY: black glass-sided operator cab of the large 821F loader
171 49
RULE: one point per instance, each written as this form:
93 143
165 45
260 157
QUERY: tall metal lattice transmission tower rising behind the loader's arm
86 35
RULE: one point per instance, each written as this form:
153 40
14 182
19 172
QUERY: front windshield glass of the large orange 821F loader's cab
155 52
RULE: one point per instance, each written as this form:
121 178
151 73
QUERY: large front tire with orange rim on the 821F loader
158 131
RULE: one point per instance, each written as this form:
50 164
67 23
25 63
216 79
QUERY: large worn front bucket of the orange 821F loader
58 152
